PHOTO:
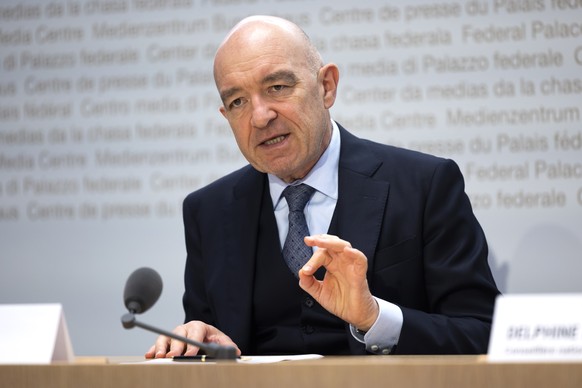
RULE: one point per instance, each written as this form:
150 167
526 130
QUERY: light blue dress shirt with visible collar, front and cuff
323 177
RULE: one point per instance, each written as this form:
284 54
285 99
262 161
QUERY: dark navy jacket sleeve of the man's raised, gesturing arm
454 314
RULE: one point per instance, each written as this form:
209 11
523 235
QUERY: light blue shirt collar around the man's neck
322 177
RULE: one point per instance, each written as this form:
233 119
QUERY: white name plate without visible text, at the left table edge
34 334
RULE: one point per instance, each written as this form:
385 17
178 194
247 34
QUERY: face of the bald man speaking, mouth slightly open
275 103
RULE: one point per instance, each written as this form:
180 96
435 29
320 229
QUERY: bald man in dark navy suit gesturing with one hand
398 261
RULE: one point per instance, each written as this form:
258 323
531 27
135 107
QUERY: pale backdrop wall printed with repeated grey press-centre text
109 117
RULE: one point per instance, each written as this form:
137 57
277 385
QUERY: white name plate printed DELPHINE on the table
536 327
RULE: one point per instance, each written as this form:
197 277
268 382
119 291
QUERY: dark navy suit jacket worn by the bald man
406 211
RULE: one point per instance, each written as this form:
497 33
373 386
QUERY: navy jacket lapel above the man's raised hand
362 200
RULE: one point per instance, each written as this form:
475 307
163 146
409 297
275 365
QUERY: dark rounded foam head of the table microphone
142 290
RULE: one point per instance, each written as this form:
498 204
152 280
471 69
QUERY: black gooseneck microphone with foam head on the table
142 290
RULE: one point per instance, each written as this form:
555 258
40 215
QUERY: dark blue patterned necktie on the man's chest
295 252
